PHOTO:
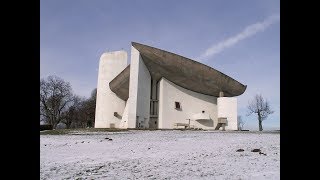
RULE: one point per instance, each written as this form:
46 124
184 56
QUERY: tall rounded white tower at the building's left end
110 65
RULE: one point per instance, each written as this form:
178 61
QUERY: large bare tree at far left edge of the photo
55 98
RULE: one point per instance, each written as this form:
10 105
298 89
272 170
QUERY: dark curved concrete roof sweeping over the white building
180 70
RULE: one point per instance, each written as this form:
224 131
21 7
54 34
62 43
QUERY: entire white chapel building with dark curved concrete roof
163 90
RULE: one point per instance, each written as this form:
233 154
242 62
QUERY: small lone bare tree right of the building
260 107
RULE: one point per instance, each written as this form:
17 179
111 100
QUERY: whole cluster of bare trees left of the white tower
60 106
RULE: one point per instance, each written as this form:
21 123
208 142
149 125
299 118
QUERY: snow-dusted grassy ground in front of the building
160 155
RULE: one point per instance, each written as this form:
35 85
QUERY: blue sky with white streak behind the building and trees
238 38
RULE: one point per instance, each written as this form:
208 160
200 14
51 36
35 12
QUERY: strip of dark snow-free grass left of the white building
84 130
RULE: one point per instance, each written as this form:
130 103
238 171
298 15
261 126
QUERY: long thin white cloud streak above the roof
247 32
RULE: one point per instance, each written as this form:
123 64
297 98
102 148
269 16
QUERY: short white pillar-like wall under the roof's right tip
227 107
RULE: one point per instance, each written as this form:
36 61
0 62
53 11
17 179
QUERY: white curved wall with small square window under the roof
191 103
